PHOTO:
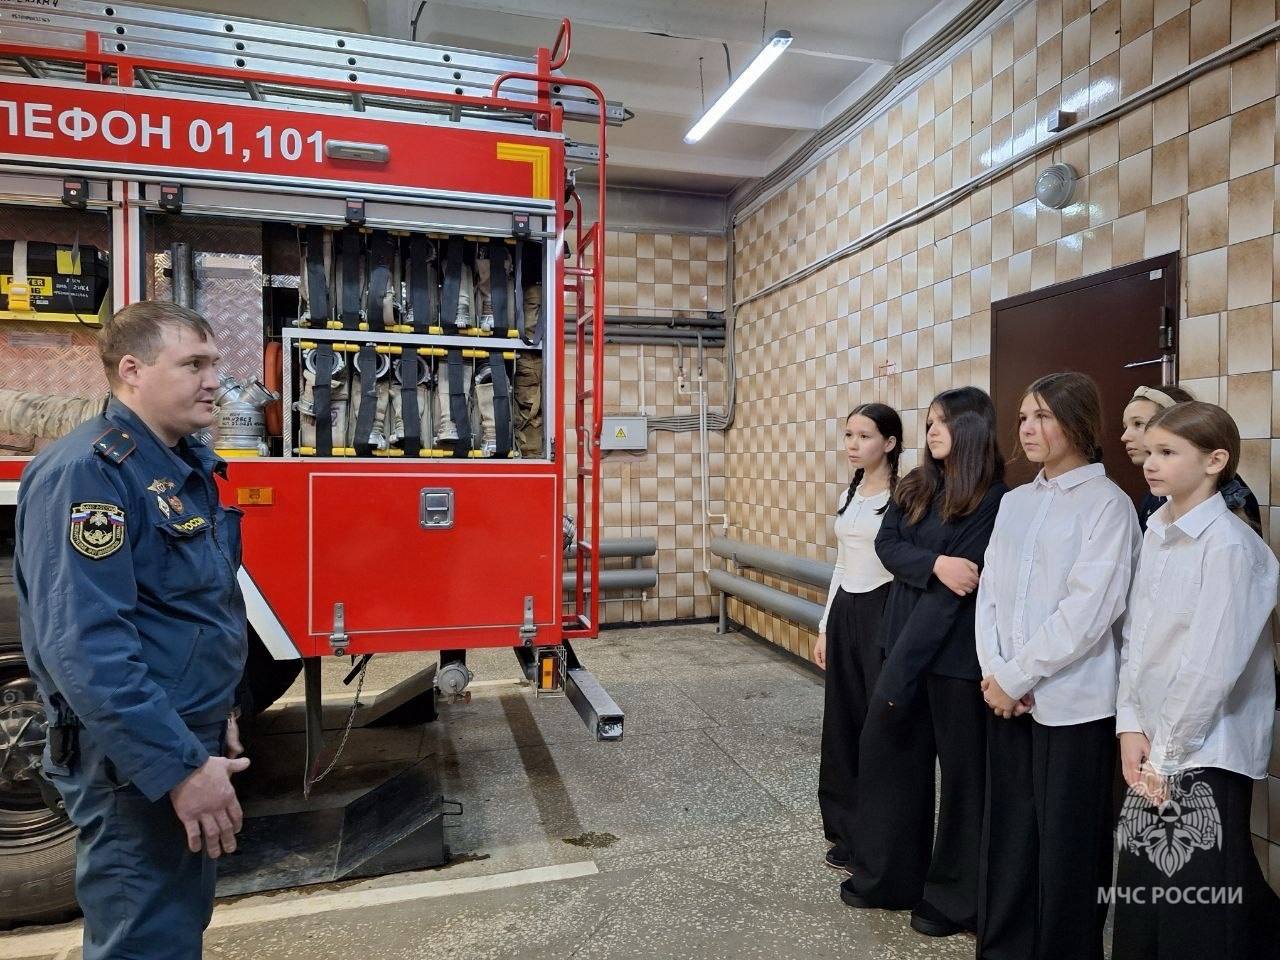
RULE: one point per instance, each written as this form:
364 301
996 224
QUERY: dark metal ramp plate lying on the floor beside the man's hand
395 828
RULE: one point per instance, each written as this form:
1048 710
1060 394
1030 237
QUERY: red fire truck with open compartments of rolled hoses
383 235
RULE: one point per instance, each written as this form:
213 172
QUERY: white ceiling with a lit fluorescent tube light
646 54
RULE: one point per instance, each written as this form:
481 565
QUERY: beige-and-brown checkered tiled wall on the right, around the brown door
1194 172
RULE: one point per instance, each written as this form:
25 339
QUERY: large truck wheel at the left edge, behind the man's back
38 844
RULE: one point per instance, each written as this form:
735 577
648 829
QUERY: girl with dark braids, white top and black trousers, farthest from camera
848 647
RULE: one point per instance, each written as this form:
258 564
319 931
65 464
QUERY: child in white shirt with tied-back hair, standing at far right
1196 708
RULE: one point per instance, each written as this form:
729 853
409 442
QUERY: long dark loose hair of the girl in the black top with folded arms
972 467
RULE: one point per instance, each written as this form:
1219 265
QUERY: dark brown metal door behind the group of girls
1098 326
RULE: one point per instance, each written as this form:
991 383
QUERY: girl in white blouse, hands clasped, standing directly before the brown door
1054 584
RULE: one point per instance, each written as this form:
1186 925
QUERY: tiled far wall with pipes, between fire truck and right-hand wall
659 493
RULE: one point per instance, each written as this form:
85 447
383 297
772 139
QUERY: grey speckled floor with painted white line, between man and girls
698 836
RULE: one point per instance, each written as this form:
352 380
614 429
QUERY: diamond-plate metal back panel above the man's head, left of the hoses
228 259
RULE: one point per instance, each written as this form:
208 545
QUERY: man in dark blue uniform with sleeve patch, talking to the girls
134 625
